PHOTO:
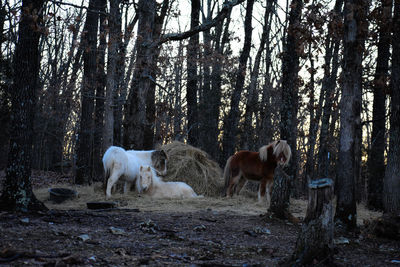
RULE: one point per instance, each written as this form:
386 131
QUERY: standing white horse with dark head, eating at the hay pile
124 164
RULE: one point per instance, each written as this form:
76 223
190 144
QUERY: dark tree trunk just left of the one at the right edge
376 161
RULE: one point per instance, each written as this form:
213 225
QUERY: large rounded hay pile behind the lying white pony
194 167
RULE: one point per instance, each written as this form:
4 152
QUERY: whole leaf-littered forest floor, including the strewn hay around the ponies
142 231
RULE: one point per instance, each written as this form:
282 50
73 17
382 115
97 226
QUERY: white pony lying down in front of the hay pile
151 185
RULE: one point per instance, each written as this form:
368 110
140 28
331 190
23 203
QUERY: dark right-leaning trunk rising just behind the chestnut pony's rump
232 120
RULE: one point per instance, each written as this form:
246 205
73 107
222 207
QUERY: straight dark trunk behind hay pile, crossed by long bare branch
192 78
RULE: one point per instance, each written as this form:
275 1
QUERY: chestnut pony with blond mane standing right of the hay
255 166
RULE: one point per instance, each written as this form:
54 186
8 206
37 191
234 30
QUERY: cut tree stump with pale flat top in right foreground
315 241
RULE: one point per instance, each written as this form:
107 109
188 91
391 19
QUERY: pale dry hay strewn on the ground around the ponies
241 204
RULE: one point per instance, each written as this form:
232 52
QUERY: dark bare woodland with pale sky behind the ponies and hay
77 77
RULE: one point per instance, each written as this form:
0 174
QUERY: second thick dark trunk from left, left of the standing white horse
84 161
